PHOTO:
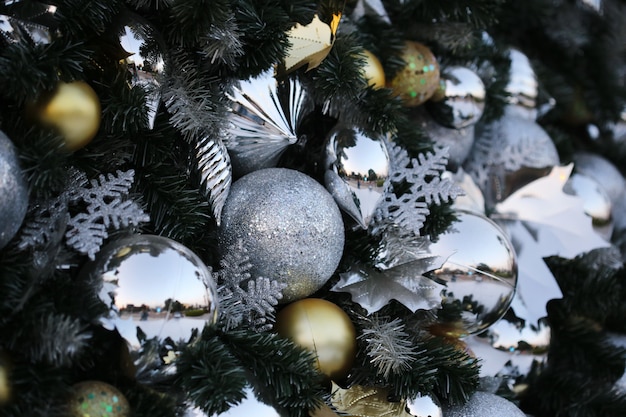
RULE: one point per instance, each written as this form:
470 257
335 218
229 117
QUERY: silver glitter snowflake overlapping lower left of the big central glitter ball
244 298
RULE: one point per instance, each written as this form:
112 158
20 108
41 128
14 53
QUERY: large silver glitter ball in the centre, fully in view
290 226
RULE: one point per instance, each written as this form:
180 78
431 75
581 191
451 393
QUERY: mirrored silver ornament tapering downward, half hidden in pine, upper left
145 61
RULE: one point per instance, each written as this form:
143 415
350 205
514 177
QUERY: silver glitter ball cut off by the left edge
14 191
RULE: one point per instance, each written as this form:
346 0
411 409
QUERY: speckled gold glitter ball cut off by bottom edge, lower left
96 398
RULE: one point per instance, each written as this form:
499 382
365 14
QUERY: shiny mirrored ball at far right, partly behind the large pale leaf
596 202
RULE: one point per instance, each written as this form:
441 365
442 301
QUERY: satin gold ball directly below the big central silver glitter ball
322 328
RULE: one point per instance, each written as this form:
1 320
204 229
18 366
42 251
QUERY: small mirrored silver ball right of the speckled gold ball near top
463 100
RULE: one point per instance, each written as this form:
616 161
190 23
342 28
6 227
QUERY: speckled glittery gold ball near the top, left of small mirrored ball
419 79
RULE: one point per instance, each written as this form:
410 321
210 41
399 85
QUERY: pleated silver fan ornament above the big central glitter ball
264 114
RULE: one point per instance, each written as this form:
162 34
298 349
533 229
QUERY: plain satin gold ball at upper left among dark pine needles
74 110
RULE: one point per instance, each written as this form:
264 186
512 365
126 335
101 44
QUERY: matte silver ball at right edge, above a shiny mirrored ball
603 172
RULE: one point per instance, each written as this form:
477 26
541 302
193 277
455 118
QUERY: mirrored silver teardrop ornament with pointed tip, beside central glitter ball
358 167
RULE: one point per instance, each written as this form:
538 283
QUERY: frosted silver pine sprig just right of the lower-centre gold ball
389 347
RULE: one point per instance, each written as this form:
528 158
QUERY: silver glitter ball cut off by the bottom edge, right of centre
483 404
